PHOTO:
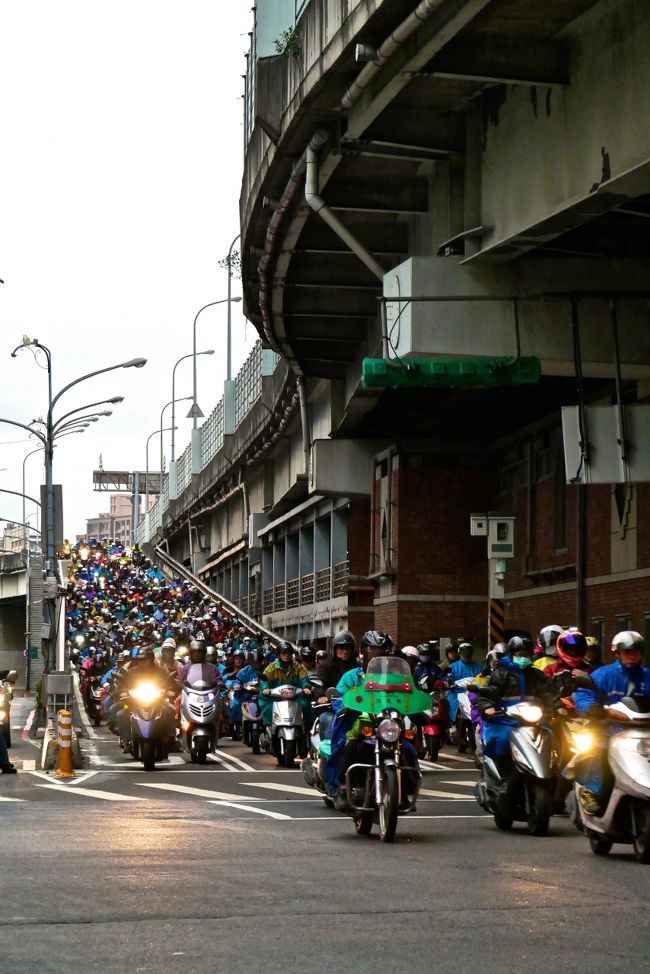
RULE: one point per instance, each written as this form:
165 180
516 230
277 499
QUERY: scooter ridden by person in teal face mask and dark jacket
521 786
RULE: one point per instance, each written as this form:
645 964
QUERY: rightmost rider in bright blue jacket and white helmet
625 676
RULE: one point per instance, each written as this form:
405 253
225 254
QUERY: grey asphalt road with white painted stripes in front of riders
239 867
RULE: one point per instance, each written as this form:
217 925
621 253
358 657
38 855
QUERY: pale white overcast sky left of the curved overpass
120 172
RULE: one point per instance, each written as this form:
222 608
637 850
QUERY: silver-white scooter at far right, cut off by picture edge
626 817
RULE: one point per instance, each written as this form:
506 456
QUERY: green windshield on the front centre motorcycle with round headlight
388 685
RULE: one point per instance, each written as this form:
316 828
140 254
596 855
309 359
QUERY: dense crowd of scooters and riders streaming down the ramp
125 618
